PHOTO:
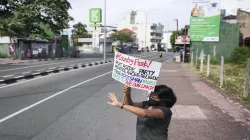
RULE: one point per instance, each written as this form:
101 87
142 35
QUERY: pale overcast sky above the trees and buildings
165 13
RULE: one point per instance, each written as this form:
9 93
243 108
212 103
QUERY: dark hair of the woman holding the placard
166 95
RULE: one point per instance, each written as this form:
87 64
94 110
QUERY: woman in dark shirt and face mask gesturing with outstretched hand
153 116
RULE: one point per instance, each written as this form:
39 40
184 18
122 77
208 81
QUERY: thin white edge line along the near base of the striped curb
52 75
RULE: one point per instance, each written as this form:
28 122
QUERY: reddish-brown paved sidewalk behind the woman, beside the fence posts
201 113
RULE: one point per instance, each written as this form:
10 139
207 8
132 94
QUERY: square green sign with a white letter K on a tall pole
95 15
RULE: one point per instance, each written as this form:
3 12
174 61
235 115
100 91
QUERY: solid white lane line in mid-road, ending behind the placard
50 97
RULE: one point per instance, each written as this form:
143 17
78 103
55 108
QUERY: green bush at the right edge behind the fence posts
240 55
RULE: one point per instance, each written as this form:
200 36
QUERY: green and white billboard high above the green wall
205 20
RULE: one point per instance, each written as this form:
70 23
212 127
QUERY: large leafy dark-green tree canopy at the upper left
24 18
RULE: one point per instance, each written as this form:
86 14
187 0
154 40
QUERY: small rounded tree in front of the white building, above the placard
121 37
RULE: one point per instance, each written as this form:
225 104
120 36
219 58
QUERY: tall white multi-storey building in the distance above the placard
154 32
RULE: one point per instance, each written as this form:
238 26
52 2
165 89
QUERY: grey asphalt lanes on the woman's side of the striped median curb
67 105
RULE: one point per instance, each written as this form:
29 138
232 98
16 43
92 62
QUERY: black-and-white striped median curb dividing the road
32 74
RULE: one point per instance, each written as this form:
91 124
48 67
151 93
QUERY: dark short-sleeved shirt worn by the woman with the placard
151 128
